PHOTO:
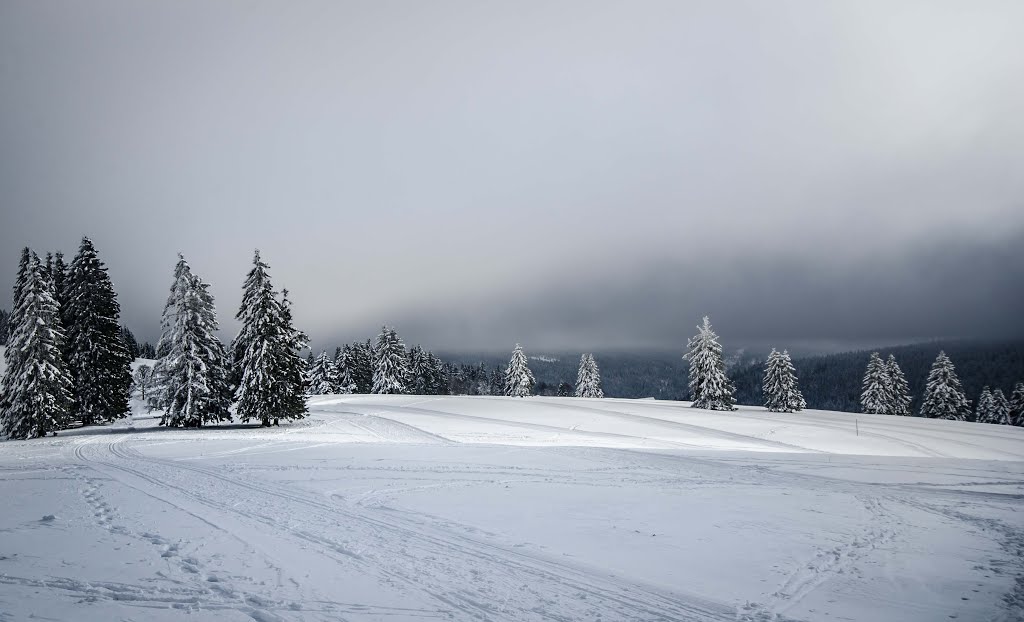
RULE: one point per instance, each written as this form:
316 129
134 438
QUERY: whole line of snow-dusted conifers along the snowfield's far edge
69 360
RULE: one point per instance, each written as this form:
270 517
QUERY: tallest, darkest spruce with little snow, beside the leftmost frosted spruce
99 363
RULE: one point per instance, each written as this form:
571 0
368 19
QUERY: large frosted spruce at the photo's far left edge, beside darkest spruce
36 388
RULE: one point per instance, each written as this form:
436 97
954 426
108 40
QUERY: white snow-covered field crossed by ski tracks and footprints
491 509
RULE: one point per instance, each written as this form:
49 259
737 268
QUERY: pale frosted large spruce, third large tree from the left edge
193 374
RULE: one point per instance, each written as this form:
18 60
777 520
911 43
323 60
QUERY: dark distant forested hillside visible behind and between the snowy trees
829 383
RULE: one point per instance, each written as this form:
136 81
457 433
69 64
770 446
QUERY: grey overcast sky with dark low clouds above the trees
566 175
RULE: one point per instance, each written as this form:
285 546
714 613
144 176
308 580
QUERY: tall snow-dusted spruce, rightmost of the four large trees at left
266 354
